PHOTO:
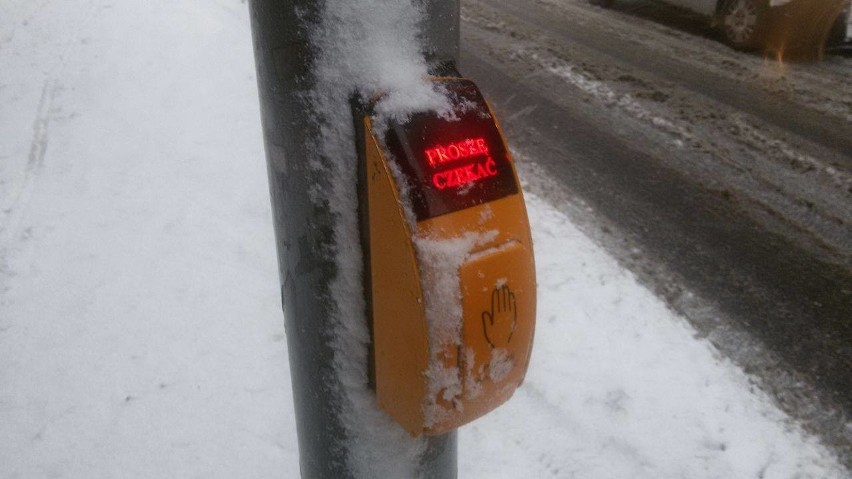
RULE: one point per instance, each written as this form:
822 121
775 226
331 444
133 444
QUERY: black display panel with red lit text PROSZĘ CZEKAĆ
452 164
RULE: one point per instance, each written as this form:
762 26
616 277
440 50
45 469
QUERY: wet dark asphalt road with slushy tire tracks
723 180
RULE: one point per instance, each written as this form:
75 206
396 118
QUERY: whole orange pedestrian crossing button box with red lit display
449 263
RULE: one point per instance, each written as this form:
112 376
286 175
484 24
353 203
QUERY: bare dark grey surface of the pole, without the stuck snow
303 229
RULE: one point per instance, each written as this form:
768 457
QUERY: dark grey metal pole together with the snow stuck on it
311 57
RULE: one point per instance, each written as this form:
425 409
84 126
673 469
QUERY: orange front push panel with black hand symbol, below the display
498 302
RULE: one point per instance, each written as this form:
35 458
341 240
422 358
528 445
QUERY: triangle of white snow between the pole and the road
619 387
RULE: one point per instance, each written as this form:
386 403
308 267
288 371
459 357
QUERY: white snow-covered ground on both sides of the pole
140 324
